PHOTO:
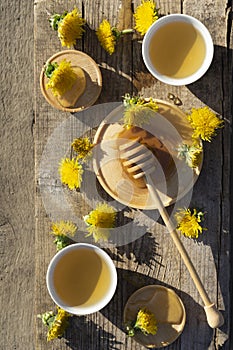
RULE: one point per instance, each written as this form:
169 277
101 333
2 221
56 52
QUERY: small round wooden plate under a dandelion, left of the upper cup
93 80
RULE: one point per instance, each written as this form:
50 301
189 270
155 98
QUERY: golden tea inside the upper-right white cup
177 50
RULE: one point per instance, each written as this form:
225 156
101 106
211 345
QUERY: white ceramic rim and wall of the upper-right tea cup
209 49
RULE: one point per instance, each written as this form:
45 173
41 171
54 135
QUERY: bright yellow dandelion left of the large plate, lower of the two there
71 172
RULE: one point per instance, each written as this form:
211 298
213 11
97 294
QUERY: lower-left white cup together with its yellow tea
81 278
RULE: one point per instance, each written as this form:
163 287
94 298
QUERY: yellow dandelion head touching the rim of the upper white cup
145 15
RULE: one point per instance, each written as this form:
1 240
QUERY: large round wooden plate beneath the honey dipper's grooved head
171 127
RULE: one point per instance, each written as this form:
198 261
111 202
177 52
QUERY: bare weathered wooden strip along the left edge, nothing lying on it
16 176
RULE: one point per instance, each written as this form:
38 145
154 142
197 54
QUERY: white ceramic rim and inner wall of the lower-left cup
87 309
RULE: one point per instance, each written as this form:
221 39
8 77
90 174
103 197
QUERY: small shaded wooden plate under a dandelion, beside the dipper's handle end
168 309
